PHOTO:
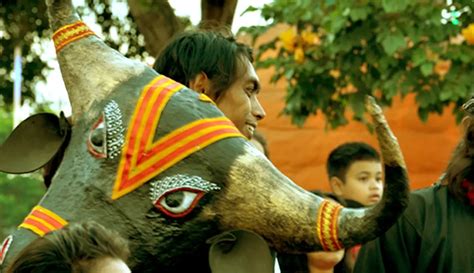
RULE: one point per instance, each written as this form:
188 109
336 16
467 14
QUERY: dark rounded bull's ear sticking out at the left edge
33 143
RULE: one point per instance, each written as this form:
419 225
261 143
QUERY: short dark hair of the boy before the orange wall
341 158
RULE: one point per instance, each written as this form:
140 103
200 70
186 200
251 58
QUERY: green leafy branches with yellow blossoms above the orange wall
333 52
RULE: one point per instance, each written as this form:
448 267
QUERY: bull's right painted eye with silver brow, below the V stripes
177 195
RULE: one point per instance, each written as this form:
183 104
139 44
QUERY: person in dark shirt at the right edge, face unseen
435 233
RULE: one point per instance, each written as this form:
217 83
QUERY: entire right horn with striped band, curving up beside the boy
292 219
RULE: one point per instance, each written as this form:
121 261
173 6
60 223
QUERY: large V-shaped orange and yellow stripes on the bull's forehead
142 158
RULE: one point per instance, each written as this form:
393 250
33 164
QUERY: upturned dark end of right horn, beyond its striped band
360 225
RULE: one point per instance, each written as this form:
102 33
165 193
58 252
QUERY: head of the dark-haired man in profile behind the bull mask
219 67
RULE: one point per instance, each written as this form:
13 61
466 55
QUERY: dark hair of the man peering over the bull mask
217 55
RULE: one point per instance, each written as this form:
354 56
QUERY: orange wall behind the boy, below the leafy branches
300 153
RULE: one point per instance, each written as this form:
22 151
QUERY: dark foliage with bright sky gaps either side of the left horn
25 24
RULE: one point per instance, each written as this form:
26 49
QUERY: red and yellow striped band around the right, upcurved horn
326 227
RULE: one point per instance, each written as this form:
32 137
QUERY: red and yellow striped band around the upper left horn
70 33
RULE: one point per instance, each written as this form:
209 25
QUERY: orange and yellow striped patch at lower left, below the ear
42 221
